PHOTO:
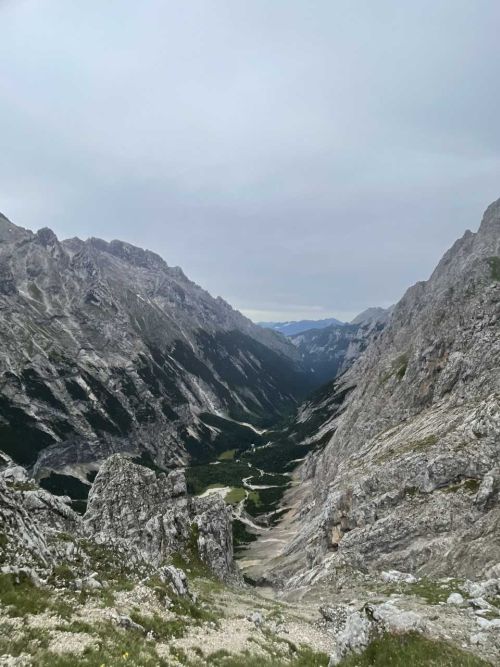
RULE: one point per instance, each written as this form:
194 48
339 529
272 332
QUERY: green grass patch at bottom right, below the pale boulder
411 649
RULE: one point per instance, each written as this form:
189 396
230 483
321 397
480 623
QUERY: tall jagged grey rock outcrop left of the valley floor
151 515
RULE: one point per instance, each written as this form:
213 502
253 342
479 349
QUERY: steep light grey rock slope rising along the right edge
409 477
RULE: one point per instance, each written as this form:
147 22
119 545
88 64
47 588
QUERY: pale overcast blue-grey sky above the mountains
300 158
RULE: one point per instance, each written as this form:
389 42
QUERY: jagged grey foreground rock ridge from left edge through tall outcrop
145 516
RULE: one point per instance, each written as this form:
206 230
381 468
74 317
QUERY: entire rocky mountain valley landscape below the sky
178 487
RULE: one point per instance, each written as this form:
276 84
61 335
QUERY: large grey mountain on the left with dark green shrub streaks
106 348
